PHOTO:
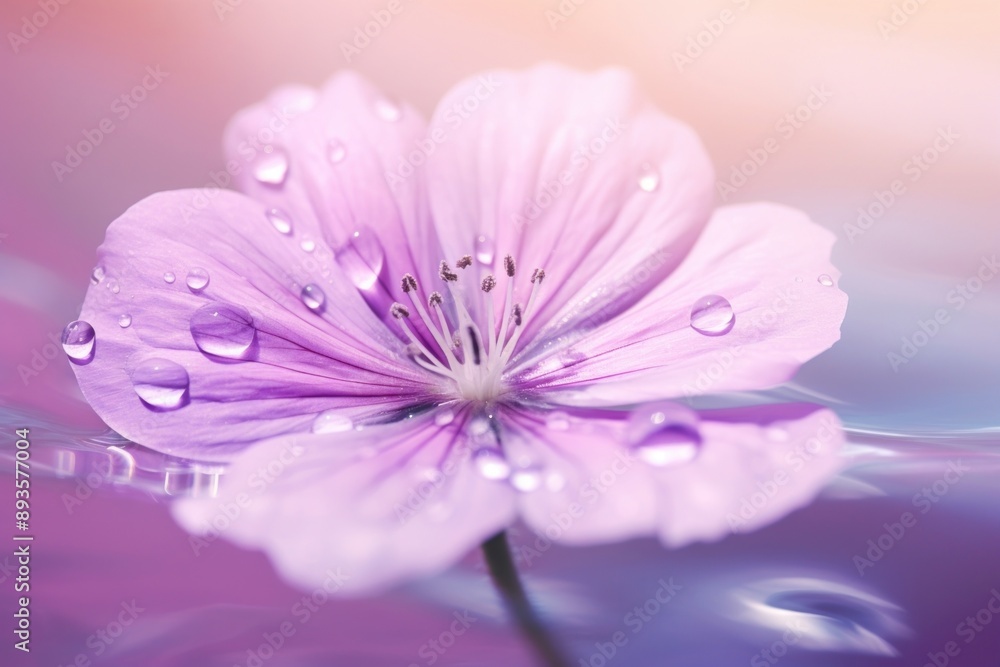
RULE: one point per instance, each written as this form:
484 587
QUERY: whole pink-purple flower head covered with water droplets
406 336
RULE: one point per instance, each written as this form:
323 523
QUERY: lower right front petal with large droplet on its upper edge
753 466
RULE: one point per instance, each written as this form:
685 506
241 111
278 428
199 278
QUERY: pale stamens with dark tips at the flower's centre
473 354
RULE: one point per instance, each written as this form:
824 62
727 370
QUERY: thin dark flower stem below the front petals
496 550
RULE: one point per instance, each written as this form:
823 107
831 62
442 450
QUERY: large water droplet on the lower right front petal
664 433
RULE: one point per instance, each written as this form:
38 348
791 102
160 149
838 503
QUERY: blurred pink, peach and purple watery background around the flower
884 113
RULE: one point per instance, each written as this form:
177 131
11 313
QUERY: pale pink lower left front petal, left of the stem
381 505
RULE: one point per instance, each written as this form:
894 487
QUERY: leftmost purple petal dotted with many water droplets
297 361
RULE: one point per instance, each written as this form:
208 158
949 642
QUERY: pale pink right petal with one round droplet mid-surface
773 266
